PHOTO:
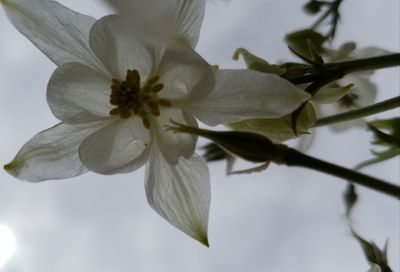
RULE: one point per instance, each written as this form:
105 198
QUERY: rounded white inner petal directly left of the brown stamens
79 94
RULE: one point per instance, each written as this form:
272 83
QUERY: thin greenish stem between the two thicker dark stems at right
359 113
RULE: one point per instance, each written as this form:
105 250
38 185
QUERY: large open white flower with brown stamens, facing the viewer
114 93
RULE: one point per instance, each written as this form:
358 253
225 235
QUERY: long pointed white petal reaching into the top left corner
59 32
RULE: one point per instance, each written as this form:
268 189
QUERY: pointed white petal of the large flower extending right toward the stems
245 94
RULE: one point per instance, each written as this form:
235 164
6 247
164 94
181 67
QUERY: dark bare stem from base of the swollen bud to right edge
296 158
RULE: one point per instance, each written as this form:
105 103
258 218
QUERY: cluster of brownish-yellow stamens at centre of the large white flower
130 98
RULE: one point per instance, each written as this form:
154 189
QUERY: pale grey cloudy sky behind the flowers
281 220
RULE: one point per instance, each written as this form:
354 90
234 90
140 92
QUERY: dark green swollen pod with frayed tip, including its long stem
257 148
